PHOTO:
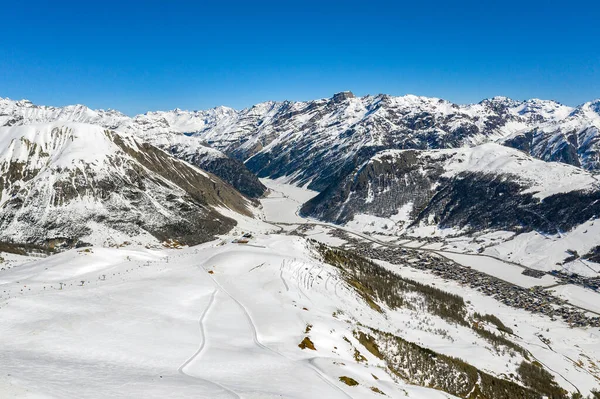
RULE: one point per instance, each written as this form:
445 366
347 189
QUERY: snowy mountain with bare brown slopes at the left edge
73 181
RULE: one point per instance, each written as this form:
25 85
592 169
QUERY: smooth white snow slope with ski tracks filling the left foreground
213 321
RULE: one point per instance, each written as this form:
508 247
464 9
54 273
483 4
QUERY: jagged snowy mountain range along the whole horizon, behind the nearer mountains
316 142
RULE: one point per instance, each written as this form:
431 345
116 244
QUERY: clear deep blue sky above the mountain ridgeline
147 55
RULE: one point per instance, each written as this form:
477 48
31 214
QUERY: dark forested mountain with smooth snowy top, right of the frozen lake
487 187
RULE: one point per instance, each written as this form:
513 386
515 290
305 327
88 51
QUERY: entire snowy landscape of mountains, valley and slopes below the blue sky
174 271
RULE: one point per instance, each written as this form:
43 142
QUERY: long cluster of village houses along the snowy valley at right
535 300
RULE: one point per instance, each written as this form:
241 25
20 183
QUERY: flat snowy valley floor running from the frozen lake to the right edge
286 199
